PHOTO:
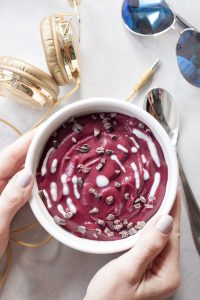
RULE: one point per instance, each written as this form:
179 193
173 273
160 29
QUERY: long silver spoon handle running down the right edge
193 208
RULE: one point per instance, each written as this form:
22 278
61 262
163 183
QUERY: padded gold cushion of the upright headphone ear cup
52 50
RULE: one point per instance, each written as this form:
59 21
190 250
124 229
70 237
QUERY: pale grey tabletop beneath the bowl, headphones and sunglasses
112 61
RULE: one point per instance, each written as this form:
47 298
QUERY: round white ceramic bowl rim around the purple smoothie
84 107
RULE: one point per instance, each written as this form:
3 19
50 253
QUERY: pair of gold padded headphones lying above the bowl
32 86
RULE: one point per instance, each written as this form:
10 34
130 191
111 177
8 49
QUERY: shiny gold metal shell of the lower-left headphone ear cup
18 86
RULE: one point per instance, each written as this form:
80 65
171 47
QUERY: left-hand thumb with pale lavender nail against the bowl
14 196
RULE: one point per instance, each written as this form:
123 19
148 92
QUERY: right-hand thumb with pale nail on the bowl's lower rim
151 242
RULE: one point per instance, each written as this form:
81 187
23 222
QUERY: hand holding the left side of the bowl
15 184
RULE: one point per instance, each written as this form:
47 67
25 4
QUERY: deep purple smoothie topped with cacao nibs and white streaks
102 176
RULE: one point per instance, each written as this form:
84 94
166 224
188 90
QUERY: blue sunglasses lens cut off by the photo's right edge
188 56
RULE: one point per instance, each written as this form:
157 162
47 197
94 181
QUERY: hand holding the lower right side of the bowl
149 271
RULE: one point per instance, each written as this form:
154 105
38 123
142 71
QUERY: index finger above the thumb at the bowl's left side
13 156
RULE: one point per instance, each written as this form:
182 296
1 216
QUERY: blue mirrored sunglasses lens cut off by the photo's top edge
147 17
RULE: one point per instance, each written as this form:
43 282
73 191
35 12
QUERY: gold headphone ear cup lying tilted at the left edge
26 83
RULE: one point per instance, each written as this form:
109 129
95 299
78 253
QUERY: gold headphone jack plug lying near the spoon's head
145 78
